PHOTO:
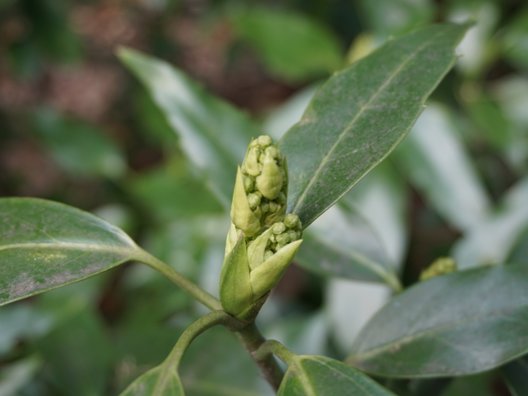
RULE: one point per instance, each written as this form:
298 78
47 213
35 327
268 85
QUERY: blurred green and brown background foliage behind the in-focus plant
76 127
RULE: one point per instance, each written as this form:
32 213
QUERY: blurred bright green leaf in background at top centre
291 45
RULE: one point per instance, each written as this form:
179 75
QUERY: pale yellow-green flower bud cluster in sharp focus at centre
262 240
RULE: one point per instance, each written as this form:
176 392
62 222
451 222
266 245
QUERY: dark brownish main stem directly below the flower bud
253 340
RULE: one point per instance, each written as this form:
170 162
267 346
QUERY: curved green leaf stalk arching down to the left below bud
194 330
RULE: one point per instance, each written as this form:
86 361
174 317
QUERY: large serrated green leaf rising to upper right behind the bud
358 116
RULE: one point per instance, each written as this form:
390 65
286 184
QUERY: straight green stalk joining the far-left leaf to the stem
190 287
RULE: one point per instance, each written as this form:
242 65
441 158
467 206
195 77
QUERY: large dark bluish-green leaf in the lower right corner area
458 324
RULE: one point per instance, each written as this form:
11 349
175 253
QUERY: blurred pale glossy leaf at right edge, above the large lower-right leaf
494 238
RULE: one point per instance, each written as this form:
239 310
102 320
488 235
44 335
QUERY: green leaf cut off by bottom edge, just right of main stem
322 376
